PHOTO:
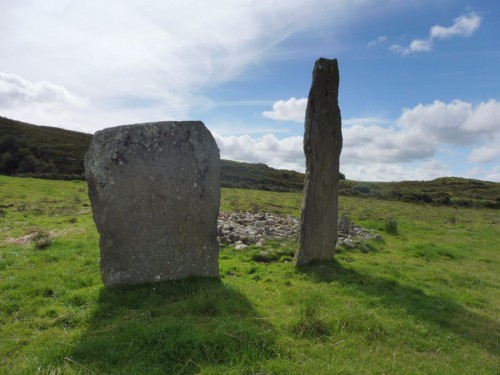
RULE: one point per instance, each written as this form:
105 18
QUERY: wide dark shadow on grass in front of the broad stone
174 327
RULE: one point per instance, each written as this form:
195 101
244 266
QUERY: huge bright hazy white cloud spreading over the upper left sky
167 52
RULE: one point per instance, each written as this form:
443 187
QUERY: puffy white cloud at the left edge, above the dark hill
16 91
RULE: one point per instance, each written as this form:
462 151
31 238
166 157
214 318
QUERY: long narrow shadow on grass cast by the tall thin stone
443 312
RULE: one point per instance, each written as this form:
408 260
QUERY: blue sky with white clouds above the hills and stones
419 79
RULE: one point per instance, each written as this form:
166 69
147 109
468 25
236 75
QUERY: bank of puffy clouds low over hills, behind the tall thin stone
375 149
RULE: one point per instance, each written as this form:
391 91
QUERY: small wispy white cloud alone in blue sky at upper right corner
463 26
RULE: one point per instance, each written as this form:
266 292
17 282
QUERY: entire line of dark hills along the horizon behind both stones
42 151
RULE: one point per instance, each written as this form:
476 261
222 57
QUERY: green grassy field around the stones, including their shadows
424 301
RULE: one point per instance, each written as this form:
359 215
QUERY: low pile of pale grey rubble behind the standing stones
242 229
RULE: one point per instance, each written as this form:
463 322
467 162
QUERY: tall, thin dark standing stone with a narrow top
322 146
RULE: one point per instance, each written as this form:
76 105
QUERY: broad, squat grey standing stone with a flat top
155 193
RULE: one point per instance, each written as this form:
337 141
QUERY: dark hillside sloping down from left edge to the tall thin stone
48 152
